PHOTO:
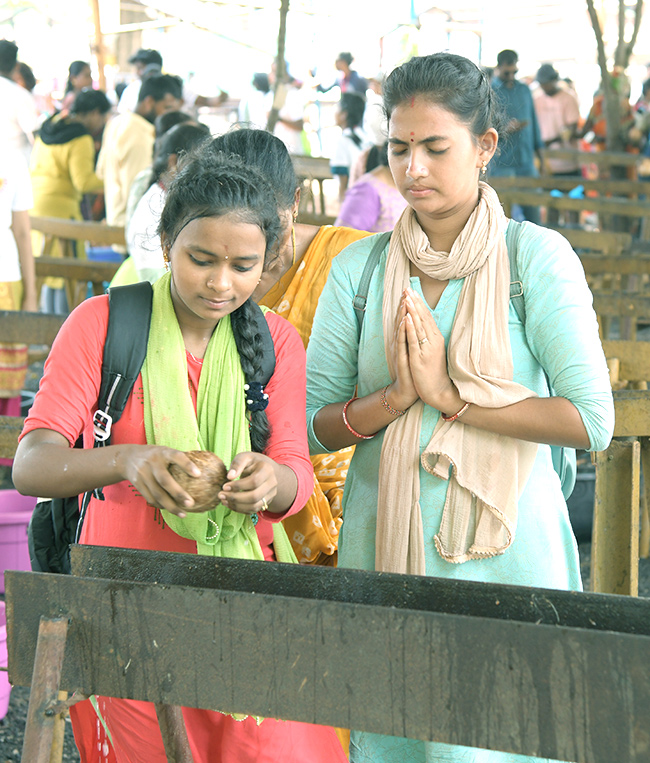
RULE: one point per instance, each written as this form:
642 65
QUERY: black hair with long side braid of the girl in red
212 184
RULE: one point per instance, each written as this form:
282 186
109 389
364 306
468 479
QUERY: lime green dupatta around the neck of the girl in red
220 424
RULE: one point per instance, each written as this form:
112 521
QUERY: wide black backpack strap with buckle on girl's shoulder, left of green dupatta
125 349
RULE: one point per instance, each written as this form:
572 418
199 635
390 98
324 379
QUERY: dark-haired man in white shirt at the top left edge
18 113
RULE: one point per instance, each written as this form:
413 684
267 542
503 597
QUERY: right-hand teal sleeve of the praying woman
562 329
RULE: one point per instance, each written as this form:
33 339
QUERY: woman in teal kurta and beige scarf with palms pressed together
443 372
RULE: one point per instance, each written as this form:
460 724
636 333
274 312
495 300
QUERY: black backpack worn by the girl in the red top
57 522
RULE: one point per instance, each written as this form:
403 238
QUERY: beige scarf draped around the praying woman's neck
486 471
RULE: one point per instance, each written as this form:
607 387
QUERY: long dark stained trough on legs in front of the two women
378 652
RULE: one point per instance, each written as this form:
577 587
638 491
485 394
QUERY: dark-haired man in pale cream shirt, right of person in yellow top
127 146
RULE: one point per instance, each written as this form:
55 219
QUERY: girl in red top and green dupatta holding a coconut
218 226
